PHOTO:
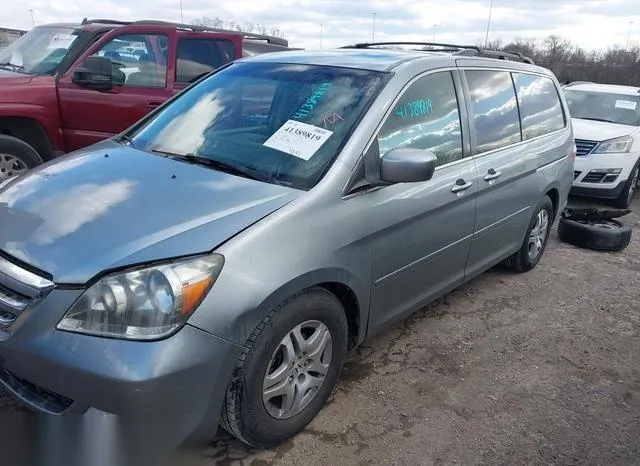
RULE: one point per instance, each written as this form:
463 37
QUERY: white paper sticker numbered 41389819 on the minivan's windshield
298 139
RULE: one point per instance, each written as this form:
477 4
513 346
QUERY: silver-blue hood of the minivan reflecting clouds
111 206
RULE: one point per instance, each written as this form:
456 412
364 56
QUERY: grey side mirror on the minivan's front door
406 165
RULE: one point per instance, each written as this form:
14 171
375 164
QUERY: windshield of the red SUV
39 51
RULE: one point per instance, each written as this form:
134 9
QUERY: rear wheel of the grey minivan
535 241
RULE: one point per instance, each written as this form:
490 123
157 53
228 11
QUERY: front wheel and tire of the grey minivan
287 369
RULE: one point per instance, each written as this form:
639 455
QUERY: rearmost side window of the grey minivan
540 108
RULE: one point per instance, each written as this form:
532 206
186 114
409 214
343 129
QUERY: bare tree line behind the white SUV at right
570 62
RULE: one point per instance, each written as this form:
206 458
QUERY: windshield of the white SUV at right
603 106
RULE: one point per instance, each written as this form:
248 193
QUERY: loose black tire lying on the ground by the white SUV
606 235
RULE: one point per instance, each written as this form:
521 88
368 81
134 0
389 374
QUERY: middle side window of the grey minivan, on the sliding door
494 109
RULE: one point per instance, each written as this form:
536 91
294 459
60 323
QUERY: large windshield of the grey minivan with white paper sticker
278 123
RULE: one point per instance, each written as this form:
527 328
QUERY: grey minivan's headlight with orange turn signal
144 304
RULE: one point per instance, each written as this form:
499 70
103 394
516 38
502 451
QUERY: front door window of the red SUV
137 59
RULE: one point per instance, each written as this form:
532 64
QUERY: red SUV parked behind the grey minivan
66 86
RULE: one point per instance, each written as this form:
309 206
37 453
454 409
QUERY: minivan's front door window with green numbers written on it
426 117
